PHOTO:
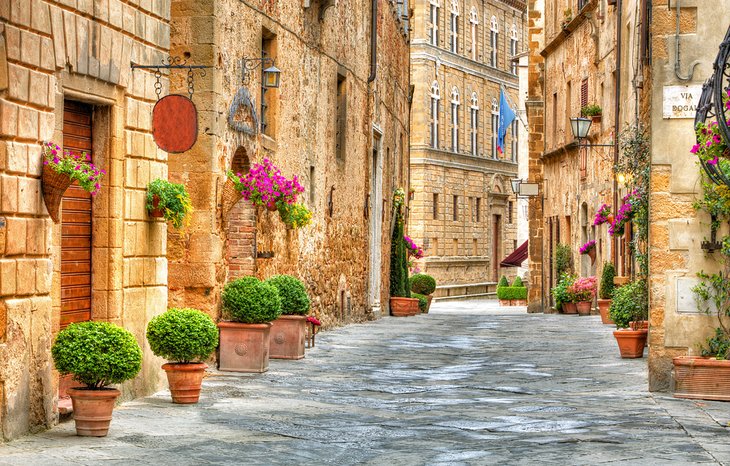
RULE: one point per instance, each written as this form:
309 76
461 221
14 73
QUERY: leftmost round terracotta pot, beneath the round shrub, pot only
93 410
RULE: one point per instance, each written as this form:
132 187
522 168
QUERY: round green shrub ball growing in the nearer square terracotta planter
250 301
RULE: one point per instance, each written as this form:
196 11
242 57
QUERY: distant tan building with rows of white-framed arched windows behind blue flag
463 212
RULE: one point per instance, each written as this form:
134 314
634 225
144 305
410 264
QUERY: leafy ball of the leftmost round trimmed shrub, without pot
97 353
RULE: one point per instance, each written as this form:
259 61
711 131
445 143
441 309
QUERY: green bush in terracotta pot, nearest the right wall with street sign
628 310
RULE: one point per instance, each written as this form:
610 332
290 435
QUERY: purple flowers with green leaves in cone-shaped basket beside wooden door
77 167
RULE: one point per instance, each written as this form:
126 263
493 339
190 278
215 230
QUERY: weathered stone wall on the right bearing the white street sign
676 230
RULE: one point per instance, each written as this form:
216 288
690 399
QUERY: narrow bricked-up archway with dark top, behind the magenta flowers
241 228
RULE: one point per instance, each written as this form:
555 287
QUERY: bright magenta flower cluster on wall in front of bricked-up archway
264 185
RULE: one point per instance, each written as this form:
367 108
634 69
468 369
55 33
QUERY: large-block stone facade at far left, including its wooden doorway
65 77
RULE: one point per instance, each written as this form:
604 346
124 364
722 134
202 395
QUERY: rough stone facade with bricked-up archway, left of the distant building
339 121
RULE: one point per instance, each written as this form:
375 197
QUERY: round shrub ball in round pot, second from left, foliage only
182 335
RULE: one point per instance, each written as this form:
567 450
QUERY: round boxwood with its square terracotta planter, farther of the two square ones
288 332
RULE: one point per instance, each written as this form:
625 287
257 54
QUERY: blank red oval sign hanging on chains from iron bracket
175 123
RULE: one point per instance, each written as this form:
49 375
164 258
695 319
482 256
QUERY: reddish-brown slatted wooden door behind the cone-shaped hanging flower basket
76 222
